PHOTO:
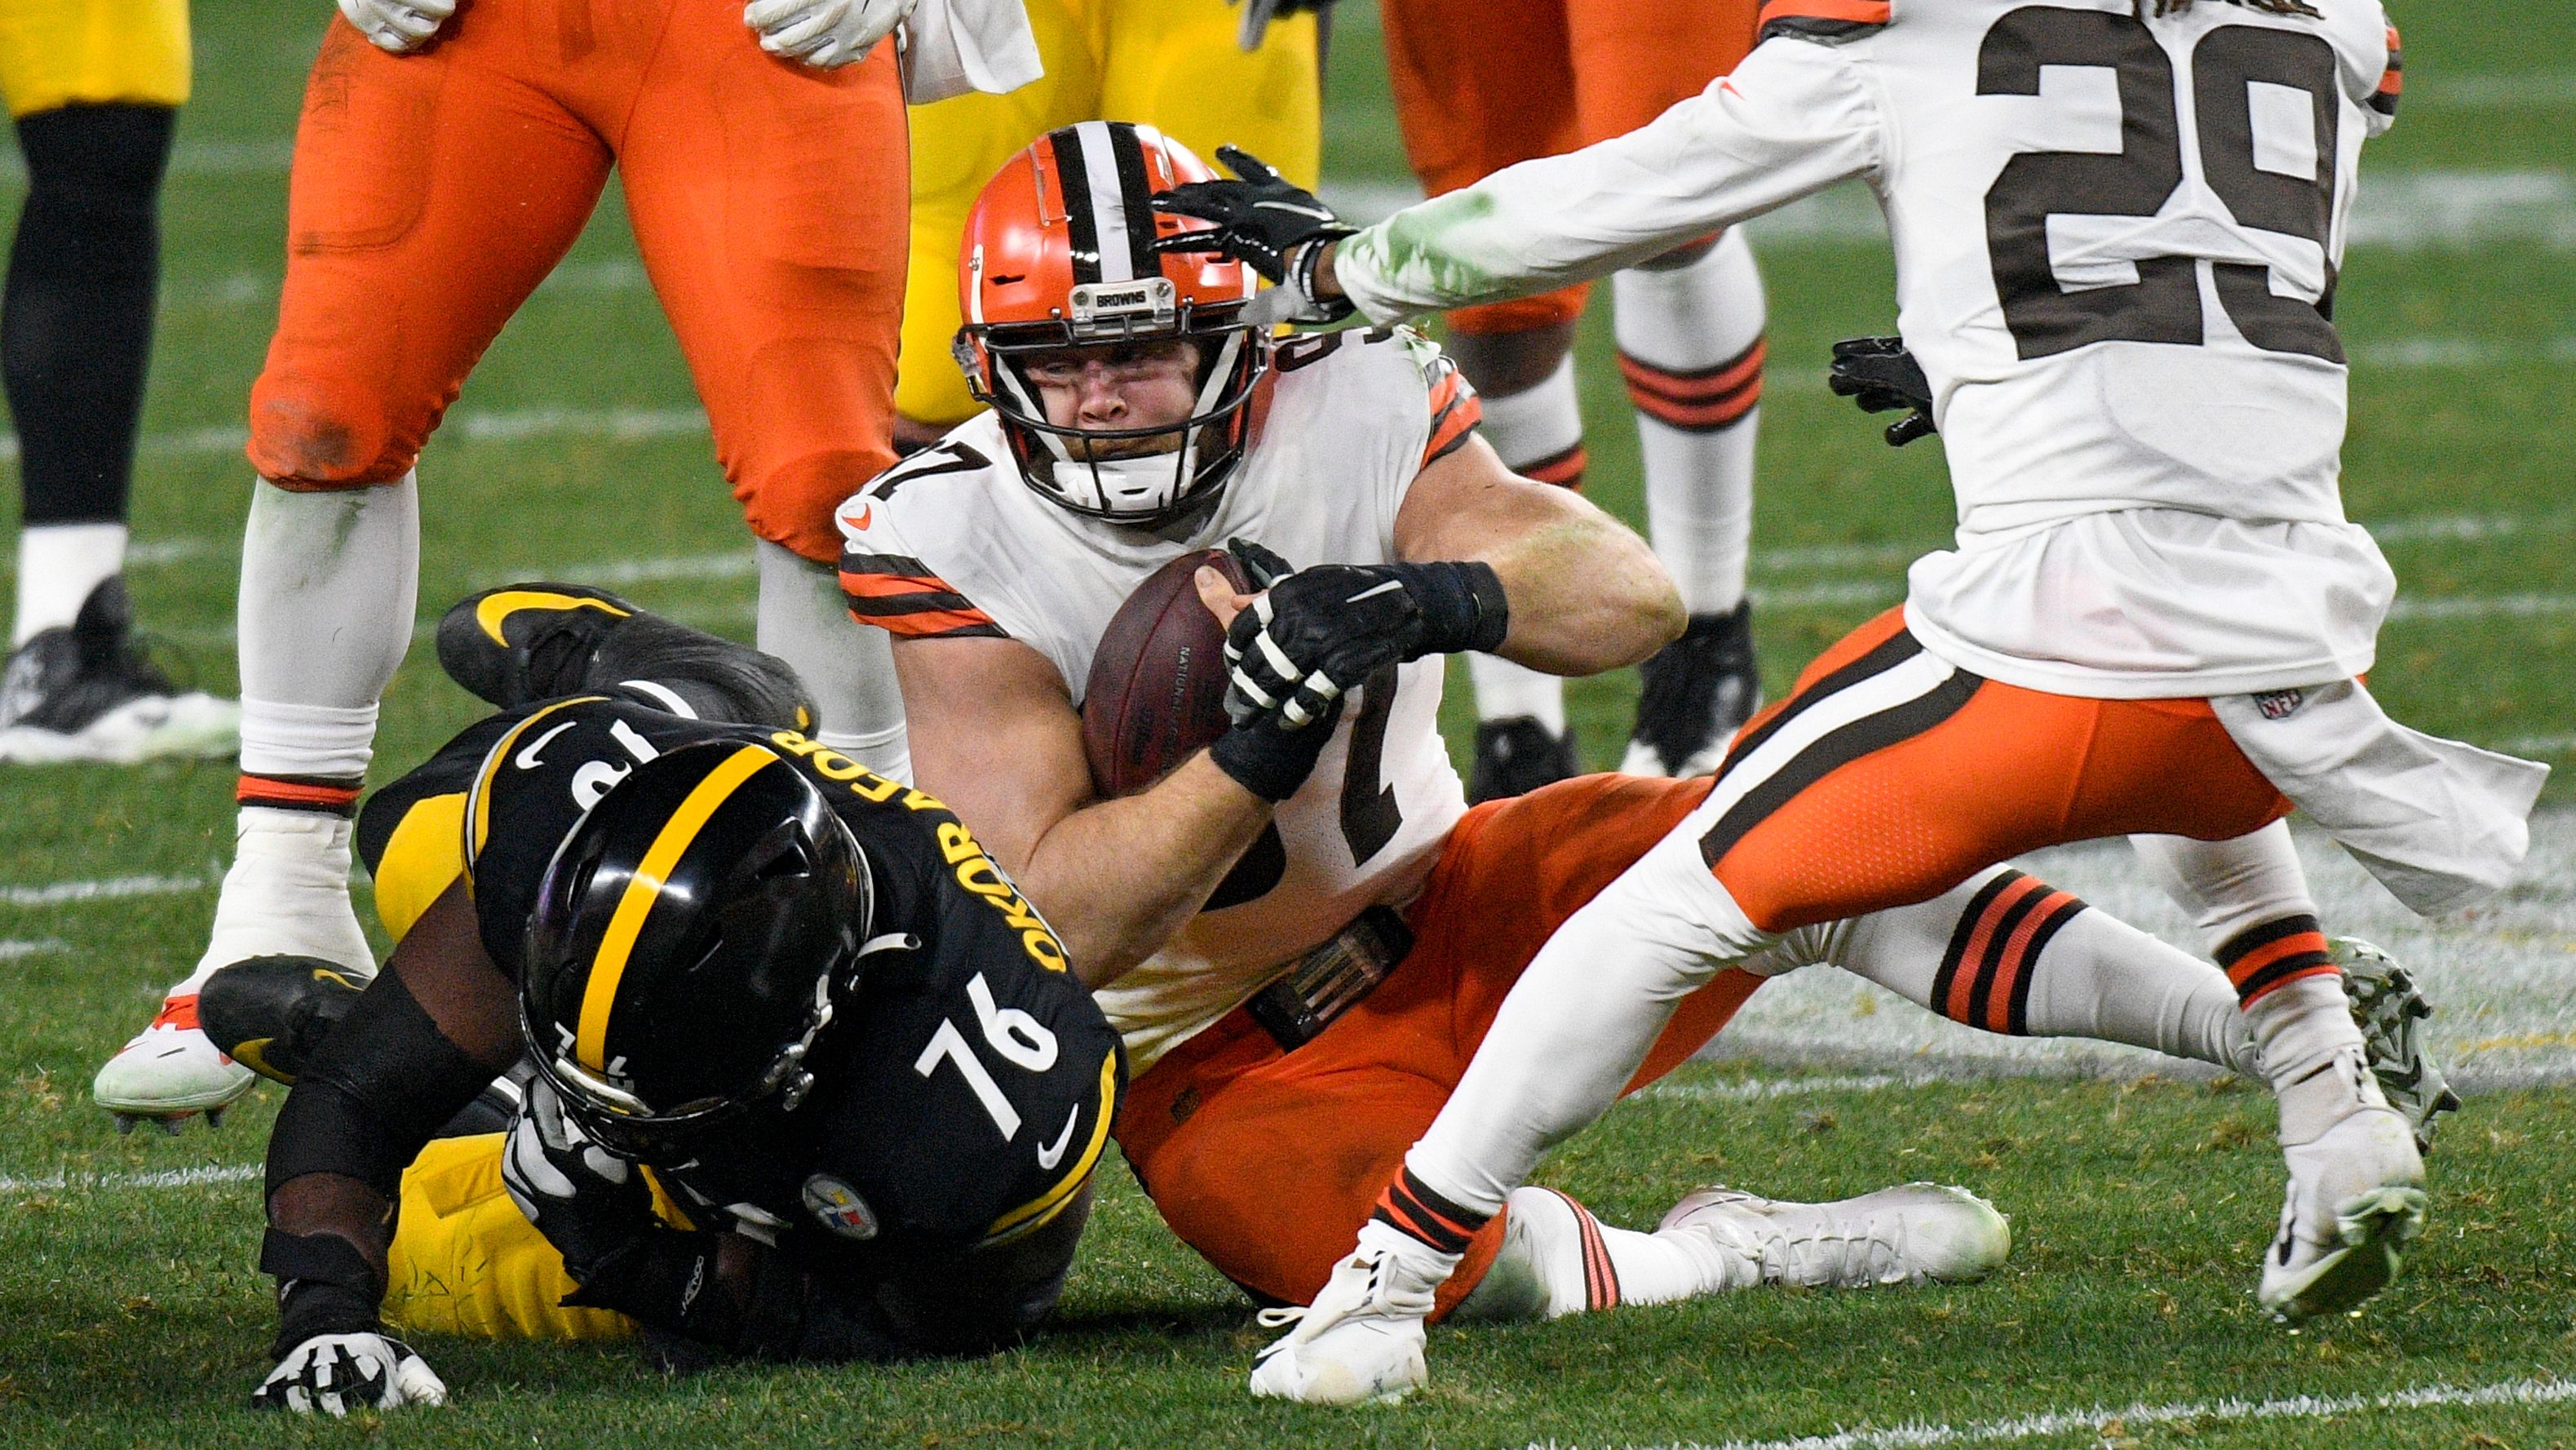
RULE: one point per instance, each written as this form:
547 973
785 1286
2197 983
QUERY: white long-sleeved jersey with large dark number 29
2116 254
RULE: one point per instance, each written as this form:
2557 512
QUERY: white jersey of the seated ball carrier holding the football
957 545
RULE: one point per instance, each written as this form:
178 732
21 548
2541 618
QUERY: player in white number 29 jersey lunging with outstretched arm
2155 617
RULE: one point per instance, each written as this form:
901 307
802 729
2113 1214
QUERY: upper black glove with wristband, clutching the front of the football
1325 630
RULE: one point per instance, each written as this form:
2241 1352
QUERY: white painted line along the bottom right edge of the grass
1920 1433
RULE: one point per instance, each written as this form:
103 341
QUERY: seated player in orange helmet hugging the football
1305 934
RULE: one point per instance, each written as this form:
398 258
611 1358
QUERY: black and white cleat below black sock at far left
86 692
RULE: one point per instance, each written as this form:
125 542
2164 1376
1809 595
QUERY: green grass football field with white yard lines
130 1310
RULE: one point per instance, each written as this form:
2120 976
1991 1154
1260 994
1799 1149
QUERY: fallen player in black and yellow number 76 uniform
800 993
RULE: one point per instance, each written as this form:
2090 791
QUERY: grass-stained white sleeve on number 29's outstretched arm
1794 120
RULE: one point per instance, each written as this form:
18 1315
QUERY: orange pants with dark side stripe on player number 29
1908 802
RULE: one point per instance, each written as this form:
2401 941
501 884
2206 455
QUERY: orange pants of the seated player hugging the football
1269 1163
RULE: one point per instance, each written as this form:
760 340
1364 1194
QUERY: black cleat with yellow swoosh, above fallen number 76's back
537 643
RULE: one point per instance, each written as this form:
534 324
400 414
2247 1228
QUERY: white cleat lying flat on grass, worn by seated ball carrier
1897 1235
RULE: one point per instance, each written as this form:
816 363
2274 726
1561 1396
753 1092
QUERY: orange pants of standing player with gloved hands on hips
434 192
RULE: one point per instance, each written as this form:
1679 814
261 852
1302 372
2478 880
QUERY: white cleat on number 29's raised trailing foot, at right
2353 1209
